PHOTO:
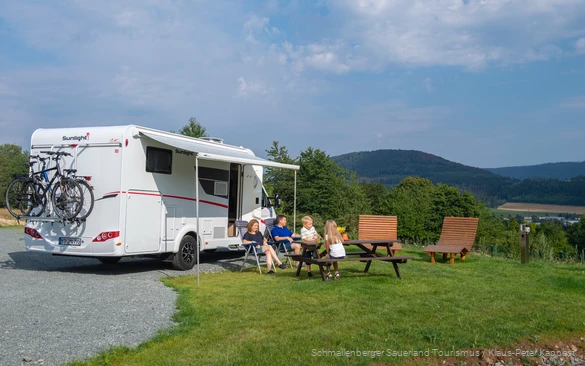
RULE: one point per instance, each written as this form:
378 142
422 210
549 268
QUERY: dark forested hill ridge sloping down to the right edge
390 167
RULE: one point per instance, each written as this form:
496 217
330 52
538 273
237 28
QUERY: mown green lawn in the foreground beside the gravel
247 318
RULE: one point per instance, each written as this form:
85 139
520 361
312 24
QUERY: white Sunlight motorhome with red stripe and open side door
157 194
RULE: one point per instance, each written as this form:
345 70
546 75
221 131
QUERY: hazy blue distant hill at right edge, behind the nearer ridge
549 170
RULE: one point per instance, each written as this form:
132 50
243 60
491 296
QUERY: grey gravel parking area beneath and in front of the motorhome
57 309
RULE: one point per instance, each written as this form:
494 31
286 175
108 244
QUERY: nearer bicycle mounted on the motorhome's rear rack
25 193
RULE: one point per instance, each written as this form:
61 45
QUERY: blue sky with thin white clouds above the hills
486 83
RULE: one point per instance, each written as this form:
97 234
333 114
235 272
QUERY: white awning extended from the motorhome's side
213 151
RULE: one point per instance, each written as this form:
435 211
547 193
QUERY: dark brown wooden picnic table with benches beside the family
366 255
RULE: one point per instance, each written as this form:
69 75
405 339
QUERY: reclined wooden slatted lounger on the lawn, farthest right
457 237
